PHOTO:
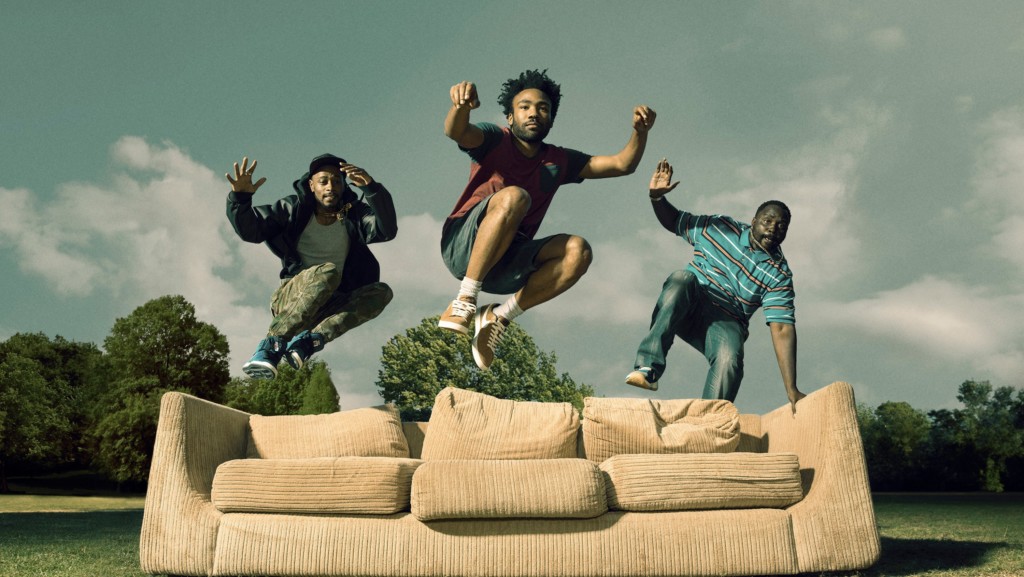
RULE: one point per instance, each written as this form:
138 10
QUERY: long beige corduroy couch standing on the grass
519 512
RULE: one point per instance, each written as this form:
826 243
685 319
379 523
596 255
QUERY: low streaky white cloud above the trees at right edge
944 319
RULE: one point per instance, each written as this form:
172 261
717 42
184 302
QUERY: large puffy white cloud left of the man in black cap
157 228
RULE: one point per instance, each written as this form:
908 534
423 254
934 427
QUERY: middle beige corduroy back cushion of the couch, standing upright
465 425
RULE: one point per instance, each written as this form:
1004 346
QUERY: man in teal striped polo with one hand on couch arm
737 269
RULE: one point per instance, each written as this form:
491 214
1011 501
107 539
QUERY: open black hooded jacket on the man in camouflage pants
371 220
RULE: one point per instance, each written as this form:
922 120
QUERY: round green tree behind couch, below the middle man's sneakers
417 365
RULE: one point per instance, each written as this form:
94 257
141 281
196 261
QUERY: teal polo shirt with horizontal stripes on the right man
737 278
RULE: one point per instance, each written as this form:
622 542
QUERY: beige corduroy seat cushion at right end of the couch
707 481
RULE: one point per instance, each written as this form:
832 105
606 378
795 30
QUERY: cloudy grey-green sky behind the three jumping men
893 131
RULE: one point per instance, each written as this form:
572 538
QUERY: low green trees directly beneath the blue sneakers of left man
309 391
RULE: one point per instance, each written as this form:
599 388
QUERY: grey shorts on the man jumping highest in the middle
513 270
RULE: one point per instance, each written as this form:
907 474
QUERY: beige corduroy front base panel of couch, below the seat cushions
616 545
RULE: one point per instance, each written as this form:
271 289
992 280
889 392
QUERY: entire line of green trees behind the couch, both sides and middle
67 405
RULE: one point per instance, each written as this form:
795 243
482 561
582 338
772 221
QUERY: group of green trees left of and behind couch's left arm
68 406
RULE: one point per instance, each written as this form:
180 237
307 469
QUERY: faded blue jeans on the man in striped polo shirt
685 310
